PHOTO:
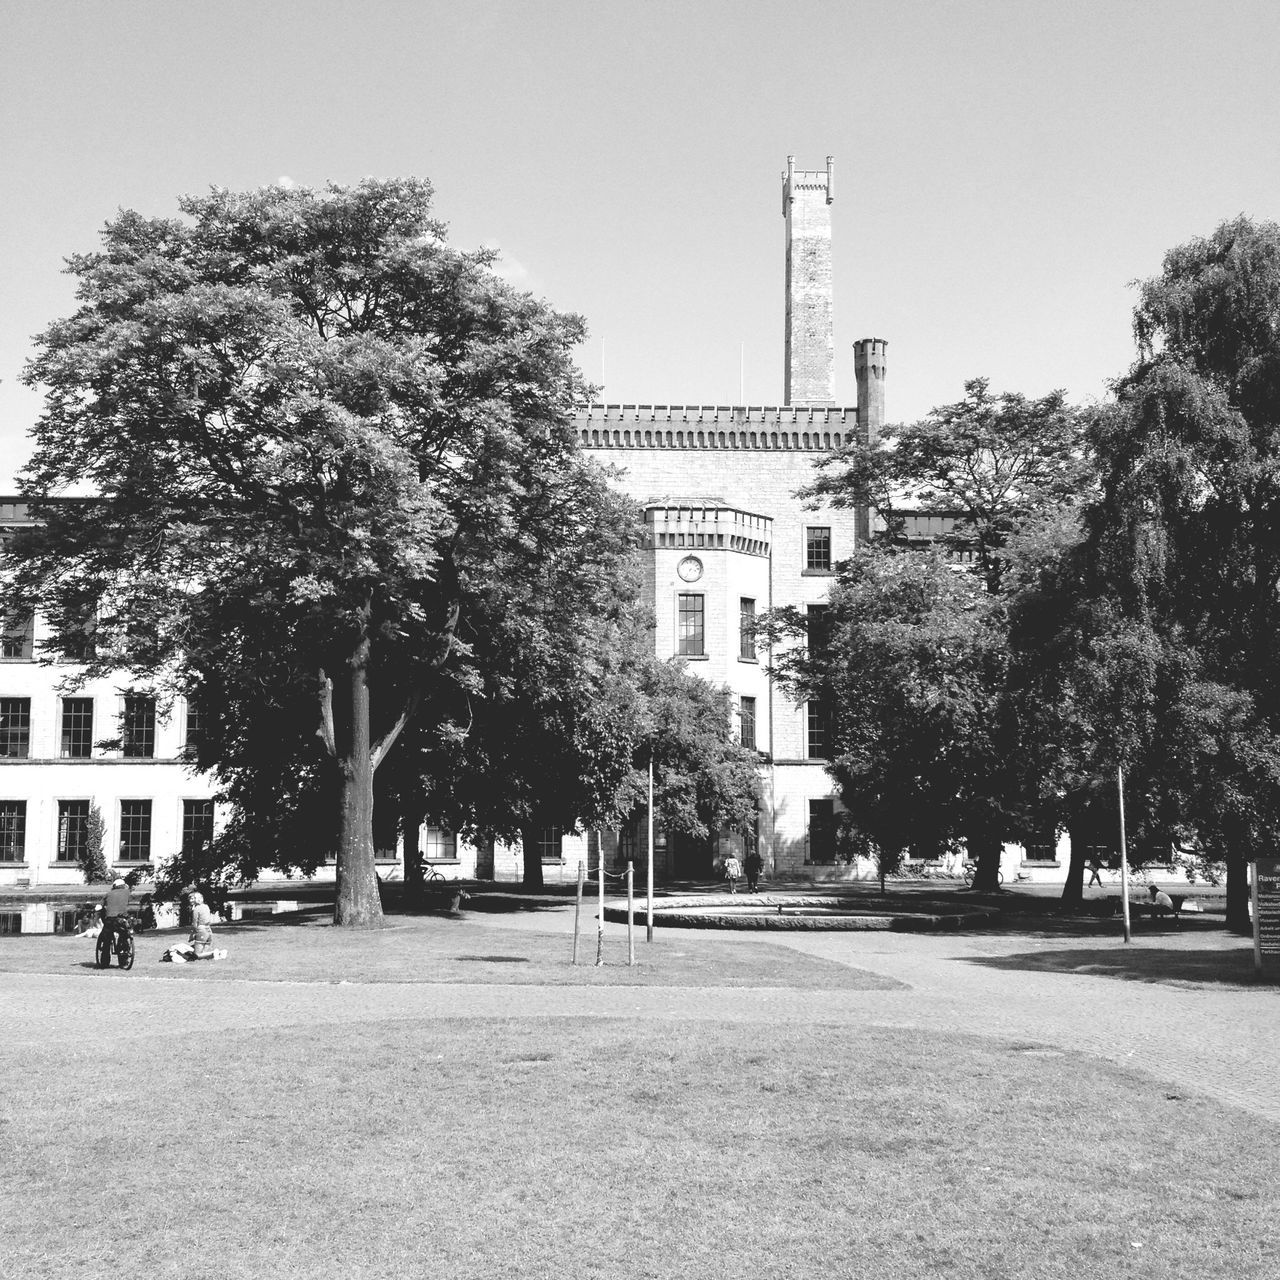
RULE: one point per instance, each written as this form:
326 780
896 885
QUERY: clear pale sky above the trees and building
1004 168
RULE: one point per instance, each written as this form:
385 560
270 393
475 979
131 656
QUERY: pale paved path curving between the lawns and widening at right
1218 1039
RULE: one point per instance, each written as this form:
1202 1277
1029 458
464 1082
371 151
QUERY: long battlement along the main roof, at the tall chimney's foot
789 428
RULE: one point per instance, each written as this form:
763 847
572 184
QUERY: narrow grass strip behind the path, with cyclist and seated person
442 949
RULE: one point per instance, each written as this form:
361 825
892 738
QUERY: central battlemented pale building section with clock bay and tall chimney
728 537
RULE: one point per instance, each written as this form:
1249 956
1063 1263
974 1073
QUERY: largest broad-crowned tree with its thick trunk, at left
310 426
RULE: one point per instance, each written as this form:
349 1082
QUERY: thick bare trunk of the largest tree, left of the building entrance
359 902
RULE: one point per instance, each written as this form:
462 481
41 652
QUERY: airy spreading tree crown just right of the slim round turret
990 461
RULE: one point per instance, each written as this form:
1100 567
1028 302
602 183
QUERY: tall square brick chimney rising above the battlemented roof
810 377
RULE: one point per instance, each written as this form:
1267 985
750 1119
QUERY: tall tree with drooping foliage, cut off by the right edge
1187 531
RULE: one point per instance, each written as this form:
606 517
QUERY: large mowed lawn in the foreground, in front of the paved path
618 1149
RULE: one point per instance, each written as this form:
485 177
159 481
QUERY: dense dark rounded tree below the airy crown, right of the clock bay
912 673
